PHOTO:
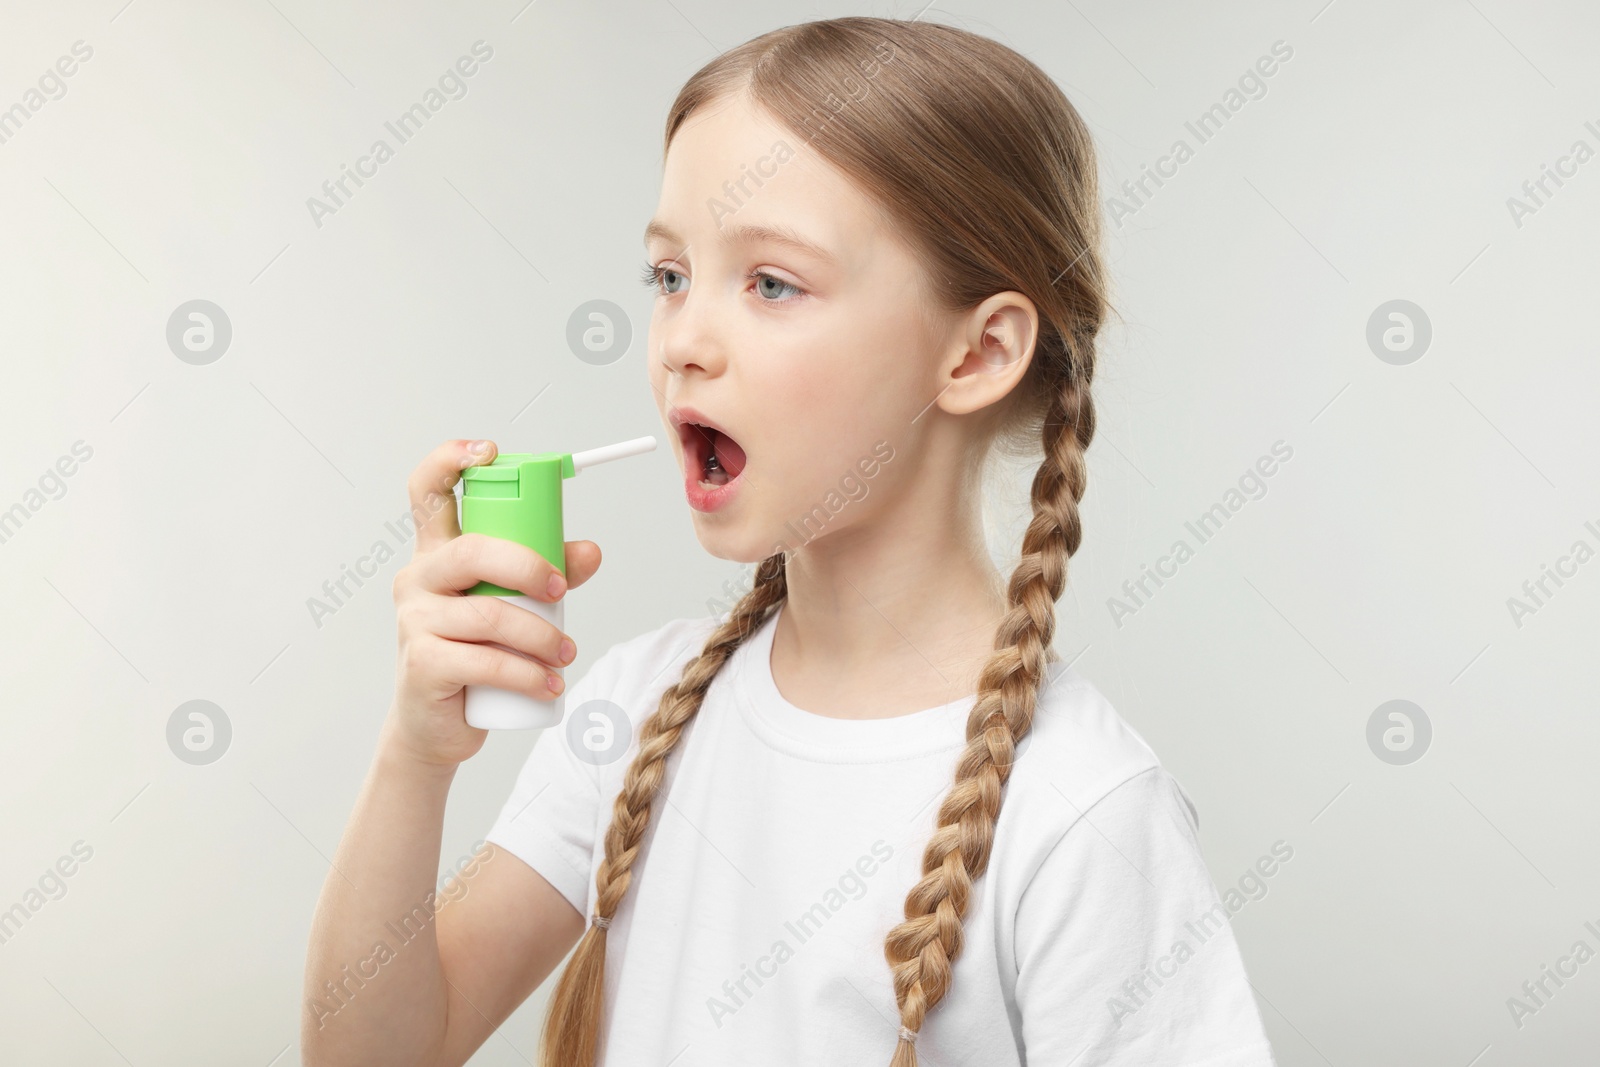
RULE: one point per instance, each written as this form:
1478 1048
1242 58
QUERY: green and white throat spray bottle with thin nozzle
519 498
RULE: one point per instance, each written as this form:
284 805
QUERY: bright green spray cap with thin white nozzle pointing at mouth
519 498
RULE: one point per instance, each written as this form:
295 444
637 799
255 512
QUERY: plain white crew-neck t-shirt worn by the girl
782 849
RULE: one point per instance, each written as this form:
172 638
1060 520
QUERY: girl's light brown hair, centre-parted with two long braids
986 167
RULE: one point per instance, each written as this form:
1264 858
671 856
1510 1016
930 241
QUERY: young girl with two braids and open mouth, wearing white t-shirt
866 815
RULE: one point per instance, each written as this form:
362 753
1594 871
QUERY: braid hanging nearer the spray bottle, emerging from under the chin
574 1023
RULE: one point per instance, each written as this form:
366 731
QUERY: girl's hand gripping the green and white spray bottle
442 628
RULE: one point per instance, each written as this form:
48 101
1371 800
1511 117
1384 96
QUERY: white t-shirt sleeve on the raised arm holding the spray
551 818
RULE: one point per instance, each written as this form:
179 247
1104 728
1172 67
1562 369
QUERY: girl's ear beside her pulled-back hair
990 353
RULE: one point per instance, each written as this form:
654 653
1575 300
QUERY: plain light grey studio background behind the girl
434 303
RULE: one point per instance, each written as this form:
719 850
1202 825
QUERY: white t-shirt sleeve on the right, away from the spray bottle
1126 951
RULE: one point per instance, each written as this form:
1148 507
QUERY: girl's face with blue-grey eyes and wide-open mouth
791 319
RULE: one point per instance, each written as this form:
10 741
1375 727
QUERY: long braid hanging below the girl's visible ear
922 949
